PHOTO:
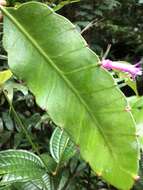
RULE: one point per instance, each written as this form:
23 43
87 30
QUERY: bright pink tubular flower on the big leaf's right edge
134 70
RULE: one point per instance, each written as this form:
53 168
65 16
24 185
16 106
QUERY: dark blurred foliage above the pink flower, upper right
118 23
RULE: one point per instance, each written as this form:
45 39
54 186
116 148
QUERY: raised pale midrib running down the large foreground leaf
60 73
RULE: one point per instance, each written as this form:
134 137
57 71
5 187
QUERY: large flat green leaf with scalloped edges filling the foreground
45 50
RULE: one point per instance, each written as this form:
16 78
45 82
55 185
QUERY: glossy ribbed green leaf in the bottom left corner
19 166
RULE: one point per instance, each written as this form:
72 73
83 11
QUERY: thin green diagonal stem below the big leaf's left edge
24 128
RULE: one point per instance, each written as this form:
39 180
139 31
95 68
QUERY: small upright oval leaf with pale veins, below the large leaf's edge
61 147
